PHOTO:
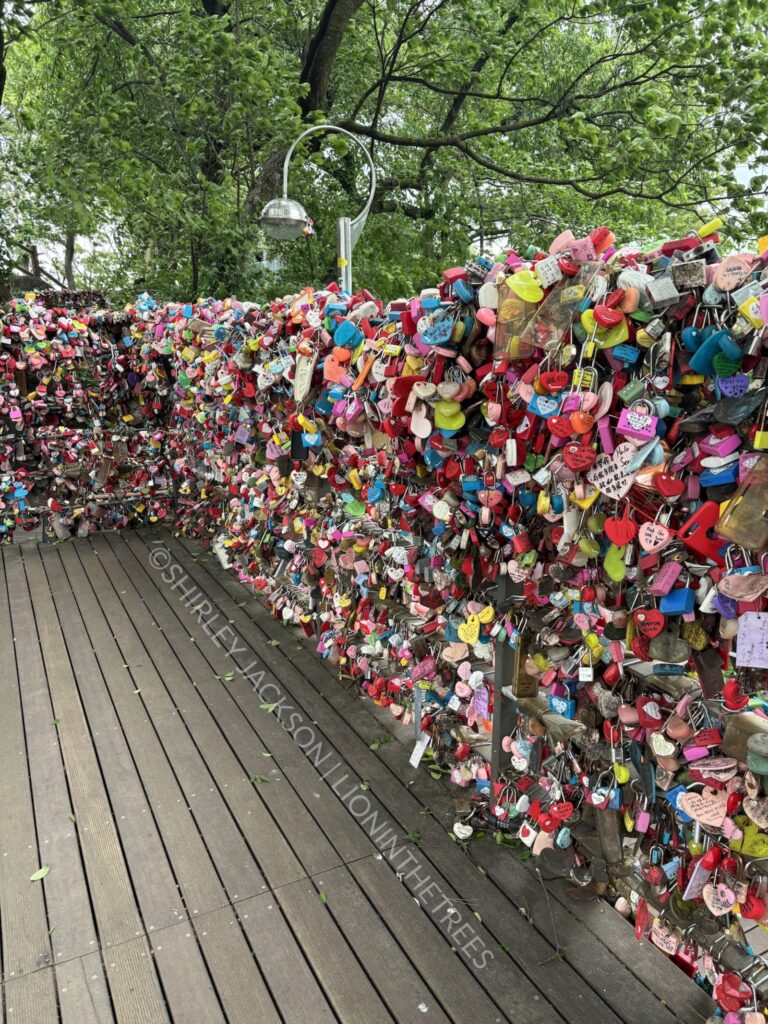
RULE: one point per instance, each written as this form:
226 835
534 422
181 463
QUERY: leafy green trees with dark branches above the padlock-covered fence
164 123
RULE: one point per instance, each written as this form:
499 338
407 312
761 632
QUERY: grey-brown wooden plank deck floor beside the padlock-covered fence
203 871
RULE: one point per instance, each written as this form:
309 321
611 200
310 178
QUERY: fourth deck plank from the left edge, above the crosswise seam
159 899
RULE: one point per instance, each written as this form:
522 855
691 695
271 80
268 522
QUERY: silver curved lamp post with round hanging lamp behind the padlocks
286 219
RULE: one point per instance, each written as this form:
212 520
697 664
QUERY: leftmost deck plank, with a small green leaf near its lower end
26 944
